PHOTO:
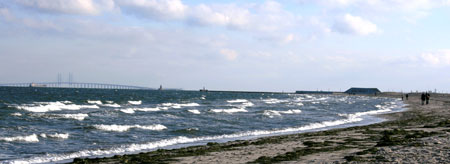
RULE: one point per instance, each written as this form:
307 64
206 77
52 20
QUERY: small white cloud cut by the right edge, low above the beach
437 58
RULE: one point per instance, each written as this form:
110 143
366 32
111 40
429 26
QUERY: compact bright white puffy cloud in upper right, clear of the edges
354 25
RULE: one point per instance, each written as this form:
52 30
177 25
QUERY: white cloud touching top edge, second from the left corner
154 9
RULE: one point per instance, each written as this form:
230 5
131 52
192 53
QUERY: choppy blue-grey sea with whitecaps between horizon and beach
45 125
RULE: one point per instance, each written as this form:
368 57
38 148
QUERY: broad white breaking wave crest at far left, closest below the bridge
54 106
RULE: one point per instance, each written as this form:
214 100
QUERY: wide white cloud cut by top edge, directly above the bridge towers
88 7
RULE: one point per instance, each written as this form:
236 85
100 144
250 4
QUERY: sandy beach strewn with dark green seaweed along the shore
419 135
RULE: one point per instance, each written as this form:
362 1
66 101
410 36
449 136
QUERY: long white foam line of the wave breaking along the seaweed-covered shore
132 148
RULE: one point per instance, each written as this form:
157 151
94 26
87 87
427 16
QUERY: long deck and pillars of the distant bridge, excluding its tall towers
74 85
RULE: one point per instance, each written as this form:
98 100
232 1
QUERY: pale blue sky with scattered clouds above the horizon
284 45
